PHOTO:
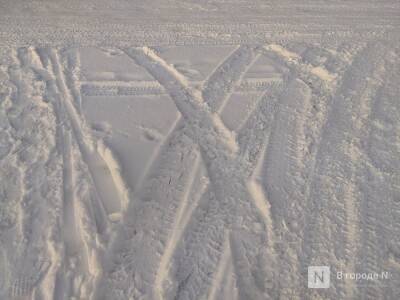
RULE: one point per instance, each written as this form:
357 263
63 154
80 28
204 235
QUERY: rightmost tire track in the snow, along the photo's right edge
380 243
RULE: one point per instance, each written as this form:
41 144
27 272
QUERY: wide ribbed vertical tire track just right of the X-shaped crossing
284 174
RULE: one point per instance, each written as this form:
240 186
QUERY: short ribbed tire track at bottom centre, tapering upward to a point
197 260
